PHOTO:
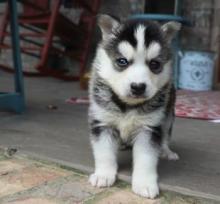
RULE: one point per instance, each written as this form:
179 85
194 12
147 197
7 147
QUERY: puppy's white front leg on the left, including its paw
105 149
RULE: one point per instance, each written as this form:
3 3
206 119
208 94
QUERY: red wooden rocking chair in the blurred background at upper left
45 21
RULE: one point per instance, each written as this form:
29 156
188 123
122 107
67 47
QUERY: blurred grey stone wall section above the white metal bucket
200 14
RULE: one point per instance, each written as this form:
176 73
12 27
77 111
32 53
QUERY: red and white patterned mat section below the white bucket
200 105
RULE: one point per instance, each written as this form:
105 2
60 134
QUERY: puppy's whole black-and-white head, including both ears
134 57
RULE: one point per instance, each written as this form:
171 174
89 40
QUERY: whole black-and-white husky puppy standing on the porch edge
132 100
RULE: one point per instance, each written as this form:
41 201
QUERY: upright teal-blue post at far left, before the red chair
19 86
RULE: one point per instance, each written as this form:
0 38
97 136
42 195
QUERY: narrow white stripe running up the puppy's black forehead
140 37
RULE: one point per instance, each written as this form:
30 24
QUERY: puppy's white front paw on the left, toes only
102 180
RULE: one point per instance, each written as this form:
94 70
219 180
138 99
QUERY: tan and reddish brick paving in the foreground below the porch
27 181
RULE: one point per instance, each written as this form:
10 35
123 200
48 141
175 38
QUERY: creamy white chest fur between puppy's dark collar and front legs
126 123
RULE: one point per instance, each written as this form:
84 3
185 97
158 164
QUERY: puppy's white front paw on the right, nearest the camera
148 189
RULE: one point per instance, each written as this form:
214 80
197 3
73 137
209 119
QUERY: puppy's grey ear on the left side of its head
107 25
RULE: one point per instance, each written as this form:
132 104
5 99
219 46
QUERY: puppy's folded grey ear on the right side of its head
170 29
